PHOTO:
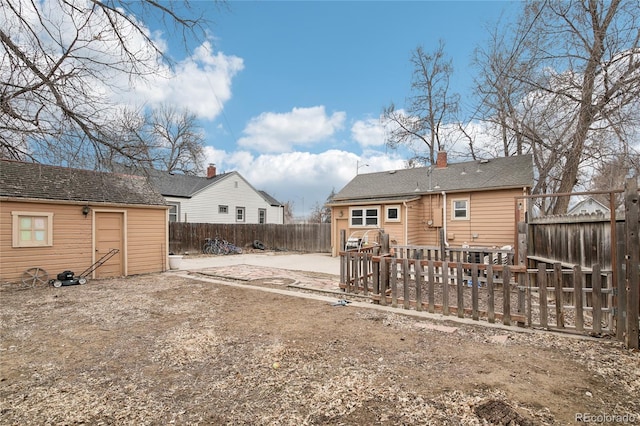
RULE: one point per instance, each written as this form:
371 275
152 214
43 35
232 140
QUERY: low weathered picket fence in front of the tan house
580 300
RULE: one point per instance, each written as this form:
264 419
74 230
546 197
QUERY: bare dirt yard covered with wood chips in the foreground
167 349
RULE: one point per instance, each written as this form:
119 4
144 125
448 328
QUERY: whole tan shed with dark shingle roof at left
58 219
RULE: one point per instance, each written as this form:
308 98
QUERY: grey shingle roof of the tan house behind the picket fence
504 172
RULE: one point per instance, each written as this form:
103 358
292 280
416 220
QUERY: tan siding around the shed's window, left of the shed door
72 245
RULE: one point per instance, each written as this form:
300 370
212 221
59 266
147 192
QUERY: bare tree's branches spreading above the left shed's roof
59 62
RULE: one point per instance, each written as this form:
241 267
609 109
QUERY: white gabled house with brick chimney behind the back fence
217 198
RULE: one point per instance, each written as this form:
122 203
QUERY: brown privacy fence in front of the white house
308 237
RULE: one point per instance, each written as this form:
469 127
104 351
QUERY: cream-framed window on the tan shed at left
32 229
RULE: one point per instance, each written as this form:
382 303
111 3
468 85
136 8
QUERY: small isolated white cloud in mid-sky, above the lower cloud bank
280 132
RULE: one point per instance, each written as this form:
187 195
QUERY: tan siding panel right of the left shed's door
146 235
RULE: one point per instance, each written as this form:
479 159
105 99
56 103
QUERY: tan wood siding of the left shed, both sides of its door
73 240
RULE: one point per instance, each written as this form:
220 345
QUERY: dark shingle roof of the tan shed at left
39 181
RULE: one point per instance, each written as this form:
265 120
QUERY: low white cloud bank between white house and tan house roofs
303 178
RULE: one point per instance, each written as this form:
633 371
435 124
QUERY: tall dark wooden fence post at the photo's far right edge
632 215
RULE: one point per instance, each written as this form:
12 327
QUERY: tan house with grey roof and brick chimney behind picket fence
472 203
